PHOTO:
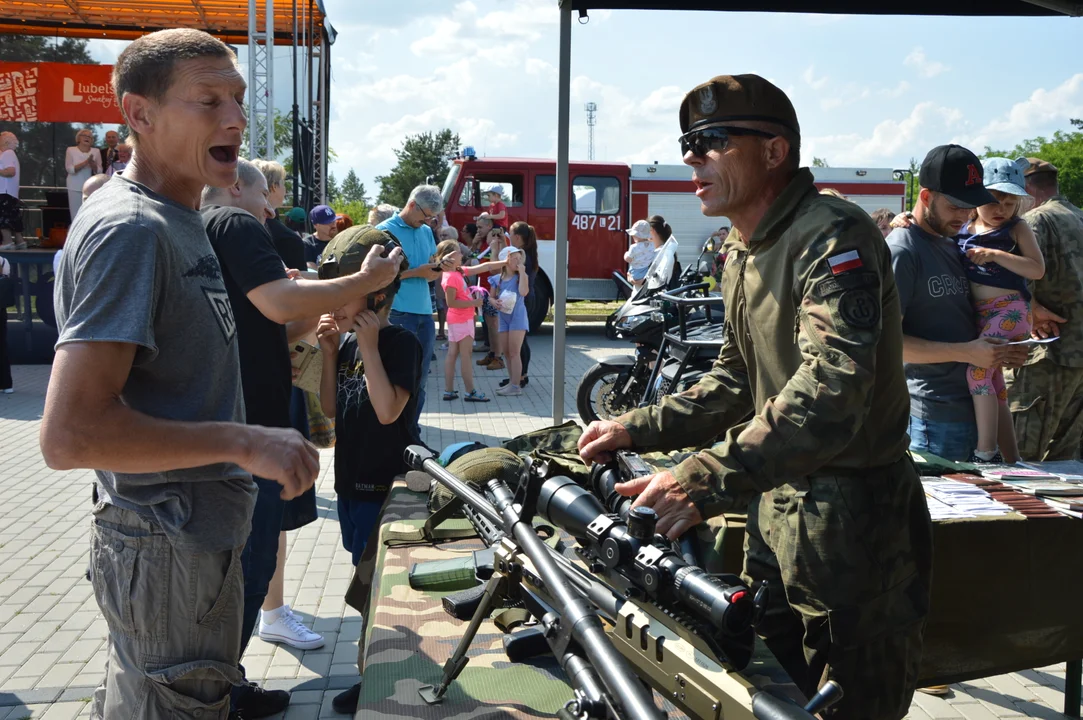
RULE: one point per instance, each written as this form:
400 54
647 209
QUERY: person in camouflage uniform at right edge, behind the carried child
1047 395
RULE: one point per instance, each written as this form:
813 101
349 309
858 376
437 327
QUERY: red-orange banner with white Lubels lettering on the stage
58 93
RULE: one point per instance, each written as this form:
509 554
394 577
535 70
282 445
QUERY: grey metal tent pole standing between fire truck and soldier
564 200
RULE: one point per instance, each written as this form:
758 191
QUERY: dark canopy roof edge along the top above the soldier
850 7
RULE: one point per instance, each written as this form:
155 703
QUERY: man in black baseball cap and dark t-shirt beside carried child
941 336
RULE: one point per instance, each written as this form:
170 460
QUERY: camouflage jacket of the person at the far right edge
1059 227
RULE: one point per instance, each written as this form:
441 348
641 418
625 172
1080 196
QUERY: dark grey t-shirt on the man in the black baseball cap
935 296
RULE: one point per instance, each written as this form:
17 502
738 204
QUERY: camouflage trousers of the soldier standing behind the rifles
849 560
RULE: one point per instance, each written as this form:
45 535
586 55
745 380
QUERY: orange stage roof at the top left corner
127 20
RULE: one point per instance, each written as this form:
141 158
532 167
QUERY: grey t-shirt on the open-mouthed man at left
139 269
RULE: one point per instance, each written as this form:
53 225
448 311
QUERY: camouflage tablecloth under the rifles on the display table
407 638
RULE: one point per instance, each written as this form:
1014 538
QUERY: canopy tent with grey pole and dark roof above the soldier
986 8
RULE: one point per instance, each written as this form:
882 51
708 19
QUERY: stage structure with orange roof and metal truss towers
260 24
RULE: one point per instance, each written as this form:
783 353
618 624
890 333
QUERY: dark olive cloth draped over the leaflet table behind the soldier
1007 597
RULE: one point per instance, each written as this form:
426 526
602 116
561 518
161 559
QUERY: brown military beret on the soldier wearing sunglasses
733 98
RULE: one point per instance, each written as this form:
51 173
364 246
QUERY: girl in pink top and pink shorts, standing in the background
462 307
